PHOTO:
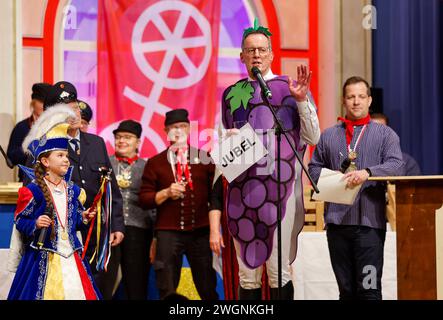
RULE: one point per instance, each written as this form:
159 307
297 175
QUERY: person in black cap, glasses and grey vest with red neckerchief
128 168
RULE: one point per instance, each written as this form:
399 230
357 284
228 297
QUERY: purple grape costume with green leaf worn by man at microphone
252 197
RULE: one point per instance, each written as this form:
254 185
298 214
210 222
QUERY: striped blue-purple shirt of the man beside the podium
379 150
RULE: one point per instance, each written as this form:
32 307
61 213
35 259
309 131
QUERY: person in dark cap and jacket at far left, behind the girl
15 152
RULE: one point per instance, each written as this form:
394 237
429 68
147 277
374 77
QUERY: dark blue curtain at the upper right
407 65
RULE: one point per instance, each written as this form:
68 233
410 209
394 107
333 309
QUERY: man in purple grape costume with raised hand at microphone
251 199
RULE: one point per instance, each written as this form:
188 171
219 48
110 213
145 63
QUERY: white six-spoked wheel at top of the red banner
173 44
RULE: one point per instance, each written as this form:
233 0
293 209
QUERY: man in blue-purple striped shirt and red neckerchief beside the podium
356 233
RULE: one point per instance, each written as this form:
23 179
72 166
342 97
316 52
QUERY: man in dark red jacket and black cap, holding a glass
178 183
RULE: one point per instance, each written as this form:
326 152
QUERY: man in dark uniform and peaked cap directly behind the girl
88 155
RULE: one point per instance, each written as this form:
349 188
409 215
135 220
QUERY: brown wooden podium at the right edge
419 224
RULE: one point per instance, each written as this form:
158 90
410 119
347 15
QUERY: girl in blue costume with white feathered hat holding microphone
51 269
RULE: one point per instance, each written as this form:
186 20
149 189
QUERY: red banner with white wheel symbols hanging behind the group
155 56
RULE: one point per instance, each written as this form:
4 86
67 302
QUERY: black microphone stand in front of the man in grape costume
279 130
